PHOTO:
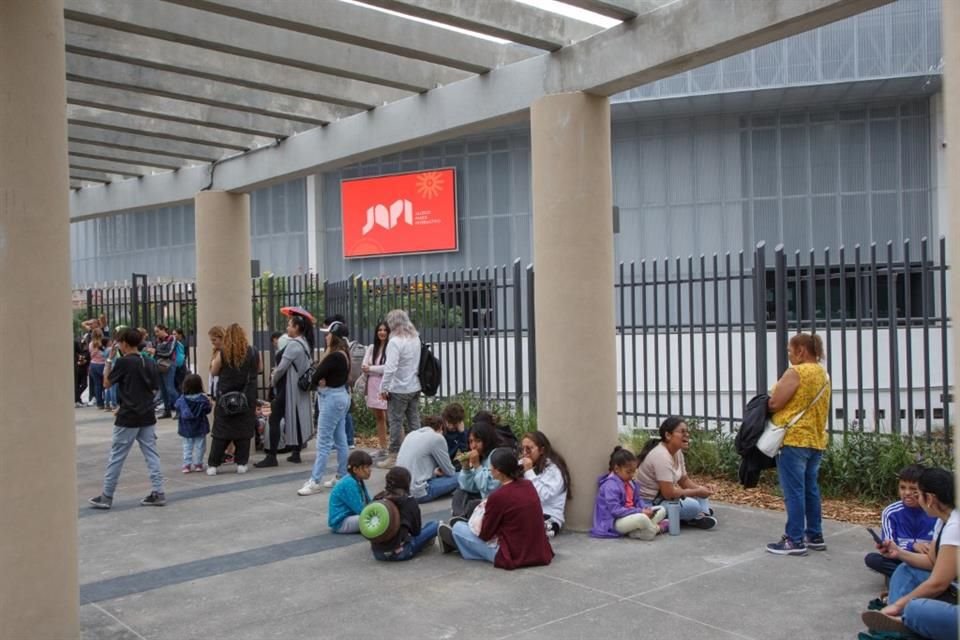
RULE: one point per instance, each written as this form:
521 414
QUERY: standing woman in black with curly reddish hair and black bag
234 419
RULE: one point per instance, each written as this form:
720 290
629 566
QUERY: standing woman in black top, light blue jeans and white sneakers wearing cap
334 401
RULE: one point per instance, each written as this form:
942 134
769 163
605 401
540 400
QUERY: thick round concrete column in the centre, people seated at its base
573 254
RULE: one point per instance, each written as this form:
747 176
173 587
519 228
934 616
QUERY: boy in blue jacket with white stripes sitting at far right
904 521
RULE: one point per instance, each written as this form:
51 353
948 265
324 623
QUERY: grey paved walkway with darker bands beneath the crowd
244 557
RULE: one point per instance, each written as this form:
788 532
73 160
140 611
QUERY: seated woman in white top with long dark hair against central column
548 472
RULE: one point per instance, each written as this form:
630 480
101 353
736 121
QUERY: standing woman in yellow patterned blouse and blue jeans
803 389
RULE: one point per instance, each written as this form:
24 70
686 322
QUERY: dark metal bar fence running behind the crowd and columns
695 337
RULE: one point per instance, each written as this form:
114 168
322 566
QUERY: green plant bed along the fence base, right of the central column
863 466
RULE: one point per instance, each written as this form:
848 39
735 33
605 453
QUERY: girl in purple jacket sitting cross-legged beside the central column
619 509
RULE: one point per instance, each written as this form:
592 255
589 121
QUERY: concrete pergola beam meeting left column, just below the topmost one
99 42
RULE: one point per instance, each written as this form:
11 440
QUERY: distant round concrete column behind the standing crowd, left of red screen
223 267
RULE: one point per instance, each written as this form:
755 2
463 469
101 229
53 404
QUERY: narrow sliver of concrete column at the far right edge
950 24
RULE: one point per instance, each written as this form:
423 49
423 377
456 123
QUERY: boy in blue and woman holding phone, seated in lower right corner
916 553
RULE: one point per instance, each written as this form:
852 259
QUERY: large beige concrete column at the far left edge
39 597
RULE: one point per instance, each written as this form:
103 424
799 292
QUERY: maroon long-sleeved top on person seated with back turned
513 515
